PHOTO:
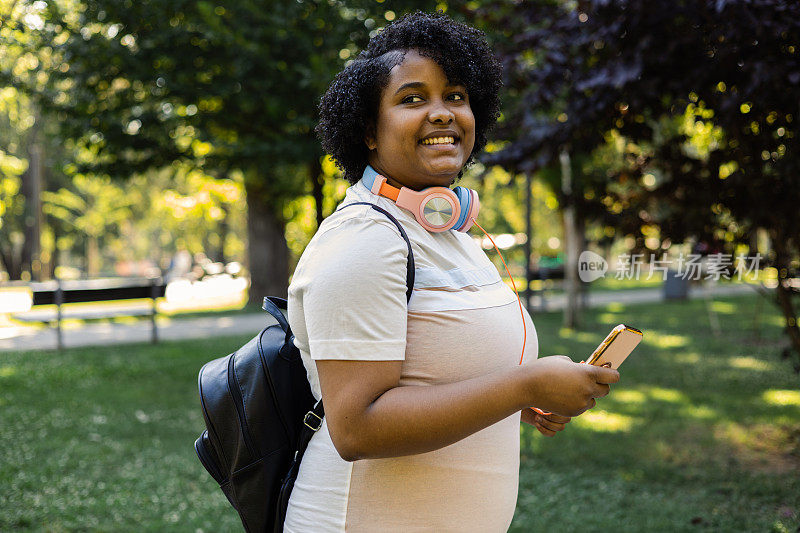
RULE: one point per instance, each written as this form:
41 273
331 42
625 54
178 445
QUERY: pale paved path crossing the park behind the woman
17 338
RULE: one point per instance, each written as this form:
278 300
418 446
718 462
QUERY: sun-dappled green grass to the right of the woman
701 433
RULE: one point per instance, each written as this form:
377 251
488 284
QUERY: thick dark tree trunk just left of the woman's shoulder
268 253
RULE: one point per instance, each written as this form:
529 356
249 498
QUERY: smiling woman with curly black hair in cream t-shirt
423 399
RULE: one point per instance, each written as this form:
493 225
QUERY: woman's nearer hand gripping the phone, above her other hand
559 385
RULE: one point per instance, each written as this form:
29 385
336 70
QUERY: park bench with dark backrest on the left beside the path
59 293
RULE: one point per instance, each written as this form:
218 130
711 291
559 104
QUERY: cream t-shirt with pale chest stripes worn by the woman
347 300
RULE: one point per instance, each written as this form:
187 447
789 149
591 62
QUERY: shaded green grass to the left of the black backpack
101 439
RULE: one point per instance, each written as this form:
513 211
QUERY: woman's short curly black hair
348 109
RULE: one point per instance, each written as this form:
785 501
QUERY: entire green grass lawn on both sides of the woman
701 434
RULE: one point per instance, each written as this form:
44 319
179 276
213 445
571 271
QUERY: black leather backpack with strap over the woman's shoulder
260 415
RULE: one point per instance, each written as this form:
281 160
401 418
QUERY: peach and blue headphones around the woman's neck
435 208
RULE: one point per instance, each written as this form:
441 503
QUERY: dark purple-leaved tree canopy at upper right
708 93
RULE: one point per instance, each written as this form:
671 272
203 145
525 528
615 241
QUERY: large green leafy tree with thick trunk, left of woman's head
224 86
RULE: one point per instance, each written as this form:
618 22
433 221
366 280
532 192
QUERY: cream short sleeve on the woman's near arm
348 297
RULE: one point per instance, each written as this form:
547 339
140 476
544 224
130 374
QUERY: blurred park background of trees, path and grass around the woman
644 169
